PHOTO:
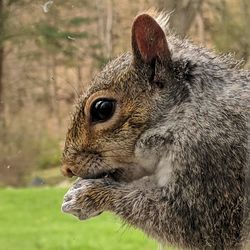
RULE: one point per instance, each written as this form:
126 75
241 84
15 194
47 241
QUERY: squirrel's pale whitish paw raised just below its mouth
79 200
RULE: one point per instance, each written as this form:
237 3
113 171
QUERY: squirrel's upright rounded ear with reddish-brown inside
149 41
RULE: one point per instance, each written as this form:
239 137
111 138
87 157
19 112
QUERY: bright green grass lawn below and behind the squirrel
31 219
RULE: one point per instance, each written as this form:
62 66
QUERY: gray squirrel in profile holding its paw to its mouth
161 139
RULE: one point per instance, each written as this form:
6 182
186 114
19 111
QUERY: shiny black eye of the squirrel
102 110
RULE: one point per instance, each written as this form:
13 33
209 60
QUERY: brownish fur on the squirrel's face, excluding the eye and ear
95 148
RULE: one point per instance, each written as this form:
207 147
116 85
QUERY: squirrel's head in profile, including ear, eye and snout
122 102
